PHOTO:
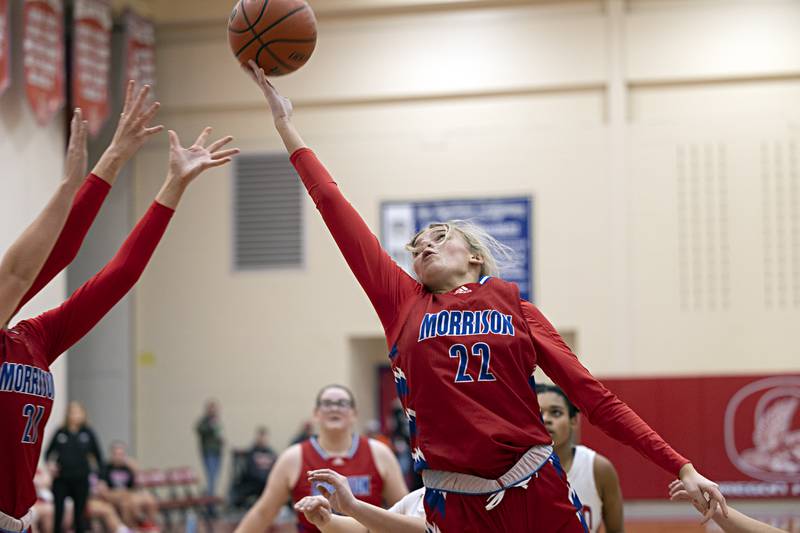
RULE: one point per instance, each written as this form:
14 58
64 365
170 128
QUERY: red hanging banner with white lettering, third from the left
91 60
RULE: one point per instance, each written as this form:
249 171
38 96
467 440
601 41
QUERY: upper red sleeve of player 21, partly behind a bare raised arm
84 209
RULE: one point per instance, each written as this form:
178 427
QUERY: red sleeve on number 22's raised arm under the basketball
386 284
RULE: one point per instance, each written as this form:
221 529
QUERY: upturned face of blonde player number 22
439 257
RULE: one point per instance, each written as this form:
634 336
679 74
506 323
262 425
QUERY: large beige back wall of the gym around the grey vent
638 128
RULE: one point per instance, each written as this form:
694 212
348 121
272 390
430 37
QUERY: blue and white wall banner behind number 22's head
509 220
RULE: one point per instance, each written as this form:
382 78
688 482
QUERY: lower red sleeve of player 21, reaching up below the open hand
65 325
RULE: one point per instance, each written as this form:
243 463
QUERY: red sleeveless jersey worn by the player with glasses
358 466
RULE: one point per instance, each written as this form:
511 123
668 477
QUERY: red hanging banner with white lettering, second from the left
43 50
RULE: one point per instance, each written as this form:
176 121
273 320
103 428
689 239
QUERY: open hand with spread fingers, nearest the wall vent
186 164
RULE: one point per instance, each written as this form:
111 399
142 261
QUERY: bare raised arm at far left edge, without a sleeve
23 261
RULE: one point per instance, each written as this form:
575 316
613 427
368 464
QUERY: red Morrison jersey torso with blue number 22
462 364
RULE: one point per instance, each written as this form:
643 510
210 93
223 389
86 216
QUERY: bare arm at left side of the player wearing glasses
276 493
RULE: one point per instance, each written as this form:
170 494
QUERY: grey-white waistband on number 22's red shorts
526 467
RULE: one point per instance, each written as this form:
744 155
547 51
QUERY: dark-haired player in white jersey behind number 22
590 475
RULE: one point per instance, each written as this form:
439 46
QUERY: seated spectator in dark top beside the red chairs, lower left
139 508
